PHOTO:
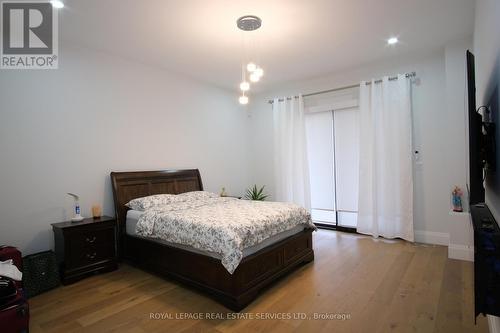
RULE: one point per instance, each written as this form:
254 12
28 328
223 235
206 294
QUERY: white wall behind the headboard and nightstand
65 130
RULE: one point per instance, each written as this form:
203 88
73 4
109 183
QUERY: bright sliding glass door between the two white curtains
333 154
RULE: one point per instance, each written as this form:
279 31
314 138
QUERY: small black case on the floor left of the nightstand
40 273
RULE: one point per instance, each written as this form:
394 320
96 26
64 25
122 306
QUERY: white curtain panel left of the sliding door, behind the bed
290 152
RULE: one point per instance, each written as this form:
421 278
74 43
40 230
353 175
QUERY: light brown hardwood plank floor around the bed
369 285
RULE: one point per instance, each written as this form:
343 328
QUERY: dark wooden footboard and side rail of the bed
207 274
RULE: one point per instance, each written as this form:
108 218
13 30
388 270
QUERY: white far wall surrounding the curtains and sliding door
438 130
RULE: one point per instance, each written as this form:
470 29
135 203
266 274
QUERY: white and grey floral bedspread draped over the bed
224 226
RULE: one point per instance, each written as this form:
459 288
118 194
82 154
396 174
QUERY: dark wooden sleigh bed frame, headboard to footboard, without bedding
236 291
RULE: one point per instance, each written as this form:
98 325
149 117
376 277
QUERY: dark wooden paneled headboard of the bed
132 185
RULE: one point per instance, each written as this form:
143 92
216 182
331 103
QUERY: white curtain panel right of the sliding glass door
385 161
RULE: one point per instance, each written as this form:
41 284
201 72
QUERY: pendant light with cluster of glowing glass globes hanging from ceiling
250 71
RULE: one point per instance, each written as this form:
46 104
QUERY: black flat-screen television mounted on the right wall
476 152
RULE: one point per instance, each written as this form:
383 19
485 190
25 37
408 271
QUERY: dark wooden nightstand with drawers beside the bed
85 247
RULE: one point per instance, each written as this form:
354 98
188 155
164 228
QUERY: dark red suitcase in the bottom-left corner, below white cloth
14 309
